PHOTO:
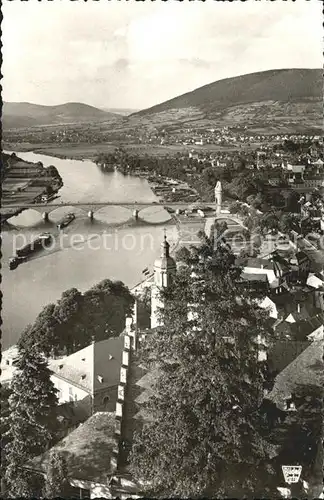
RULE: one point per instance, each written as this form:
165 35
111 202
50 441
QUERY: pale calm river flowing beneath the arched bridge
111 246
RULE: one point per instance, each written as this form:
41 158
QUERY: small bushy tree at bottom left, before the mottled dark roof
56 476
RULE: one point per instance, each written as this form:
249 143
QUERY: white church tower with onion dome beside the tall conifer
164 269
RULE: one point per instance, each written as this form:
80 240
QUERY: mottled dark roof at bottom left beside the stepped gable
88 449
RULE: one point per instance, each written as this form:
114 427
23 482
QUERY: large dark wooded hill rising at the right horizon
269 100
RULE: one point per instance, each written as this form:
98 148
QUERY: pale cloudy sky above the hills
134 54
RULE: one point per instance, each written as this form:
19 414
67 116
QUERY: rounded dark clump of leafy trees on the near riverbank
70 324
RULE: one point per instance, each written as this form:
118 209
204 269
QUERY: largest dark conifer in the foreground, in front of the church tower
206 435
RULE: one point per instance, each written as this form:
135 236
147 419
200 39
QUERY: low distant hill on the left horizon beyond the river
25 114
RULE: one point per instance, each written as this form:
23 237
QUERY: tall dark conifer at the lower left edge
32 419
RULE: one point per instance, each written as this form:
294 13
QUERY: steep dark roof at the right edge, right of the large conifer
306 369
